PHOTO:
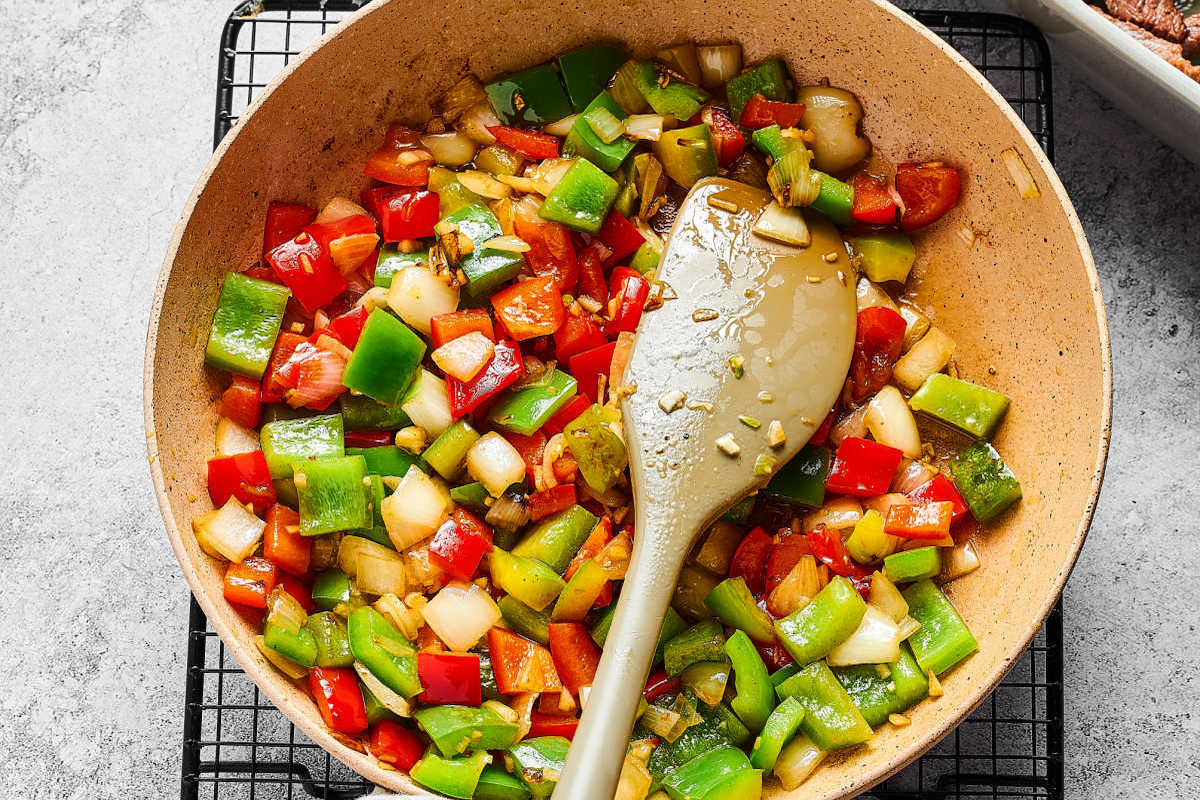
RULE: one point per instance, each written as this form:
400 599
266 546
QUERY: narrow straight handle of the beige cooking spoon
593 765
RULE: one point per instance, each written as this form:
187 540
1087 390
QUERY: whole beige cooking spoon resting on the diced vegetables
789 314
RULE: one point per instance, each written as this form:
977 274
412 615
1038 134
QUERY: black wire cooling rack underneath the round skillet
238 745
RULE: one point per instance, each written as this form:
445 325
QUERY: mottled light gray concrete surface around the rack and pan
105 122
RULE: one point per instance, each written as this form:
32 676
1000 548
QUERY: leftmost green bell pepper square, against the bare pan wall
245 326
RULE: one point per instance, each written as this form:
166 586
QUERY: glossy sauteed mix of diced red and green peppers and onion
419 483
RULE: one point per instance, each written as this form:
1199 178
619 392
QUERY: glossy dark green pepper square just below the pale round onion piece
386 359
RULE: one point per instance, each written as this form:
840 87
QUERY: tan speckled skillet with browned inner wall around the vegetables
1023 298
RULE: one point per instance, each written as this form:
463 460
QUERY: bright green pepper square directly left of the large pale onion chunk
333 495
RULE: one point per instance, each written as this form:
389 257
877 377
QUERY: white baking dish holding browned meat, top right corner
1149 89
